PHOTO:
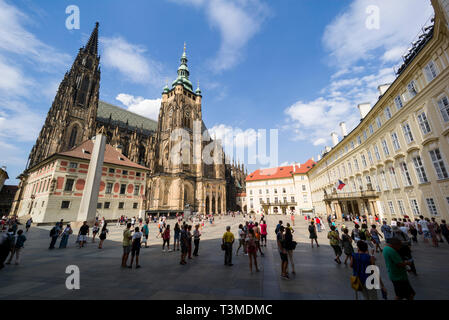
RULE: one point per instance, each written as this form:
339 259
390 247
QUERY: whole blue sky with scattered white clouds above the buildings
294 65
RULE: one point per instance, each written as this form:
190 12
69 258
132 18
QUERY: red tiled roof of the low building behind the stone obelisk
111 155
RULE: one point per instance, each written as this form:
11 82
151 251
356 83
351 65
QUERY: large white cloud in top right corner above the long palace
349 40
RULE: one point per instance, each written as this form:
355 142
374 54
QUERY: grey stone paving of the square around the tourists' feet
41 274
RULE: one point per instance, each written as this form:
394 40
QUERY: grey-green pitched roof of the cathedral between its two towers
123 118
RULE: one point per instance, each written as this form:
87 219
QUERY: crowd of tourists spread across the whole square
358 248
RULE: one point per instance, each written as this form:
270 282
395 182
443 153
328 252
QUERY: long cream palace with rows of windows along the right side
396 161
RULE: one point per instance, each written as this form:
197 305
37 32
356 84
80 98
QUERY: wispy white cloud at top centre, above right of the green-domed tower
237 20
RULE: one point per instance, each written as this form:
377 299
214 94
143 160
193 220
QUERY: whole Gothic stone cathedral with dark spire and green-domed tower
77 114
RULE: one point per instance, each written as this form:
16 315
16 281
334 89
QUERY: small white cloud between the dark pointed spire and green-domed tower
131 61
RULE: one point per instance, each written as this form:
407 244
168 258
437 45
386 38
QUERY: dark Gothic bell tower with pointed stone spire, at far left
72 116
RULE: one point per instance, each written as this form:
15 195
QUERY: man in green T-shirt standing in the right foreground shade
397 271
